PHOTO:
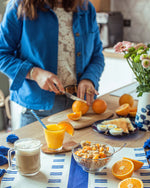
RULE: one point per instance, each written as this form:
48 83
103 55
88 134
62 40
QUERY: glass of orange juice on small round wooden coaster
54 135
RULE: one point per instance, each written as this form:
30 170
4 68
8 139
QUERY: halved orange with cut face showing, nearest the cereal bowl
123 169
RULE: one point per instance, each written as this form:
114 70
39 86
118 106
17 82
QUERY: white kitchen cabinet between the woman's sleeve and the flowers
117 74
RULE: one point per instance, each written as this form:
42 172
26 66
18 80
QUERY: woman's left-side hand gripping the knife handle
47 80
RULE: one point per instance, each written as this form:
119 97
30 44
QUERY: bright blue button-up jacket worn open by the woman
27 43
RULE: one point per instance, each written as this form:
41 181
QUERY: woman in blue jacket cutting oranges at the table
46 47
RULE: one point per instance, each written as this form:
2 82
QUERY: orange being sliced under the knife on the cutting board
78 106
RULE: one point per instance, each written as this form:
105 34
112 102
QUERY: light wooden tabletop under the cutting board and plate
35 130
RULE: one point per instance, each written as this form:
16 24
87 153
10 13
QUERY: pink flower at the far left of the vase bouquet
122 46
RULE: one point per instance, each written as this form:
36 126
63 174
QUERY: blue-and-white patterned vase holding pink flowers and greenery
138 58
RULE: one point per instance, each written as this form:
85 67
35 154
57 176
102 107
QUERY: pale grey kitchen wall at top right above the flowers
138 11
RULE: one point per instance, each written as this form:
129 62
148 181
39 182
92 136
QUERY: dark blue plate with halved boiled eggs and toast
115 127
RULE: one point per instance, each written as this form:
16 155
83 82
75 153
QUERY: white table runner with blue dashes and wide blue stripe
61 171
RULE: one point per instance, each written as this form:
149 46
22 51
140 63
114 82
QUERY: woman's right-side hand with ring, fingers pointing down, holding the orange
86 87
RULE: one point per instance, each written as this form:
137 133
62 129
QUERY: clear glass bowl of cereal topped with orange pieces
92 156
